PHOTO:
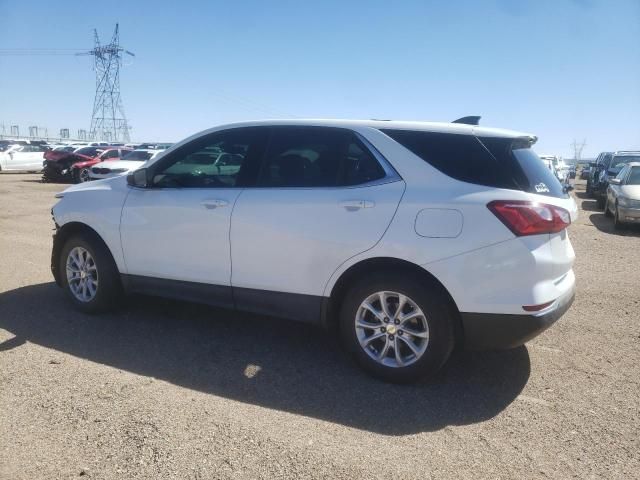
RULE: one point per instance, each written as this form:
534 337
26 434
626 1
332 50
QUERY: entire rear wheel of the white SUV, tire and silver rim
397 327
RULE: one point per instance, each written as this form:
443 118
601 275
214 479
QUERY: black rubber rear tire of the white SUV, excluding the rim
438 313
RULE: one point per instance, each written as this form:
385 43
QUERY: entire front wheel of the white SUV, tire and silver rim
89 274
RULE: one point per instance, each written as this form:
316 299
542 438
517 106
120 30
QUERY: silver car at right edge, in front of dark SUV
623 196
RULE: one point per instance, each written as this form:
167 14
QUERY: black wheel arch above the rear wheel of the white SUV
369 266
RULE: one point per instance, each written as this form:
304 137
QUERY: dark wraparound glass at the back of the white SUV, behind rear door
493 162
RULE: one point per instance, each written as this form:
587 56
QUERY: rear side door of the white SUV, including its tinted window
322 196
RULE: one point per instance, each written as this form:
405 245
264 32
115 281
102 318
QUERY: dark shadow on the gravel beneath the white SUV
273 363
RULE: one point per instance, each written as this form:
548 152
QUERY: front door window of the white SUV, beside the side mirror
220 160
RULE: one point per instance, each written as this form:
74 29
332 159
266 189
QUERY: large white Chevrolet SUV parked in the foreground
404 238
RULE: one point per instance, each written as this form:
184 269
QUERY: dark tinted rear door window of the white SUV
317 157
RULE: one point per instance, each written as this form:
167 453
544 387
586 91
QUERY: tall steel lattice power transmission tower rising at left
108 121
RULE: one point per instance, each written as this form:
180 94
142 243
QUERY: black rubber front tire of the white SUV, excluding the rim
108 293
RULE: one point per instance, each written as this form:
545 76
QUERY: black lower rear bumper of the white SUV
493 331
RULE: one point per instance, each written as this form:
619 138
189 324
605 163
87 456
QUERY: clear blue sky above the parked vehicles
561 69
